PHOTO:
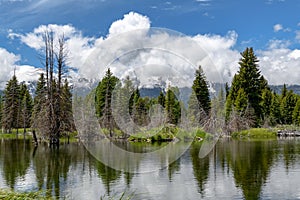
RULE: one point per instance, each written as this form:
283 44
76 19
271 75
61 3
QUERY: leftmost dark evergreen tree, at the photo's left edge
11 105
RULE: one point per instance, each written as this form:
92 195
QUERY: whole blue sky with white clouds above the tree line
210 33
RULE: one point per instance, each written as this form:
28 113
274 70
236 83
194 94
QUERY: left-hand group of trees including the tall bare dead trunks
49 112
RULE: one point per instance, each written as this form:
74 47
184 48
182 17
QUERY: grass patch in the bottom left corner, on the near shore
12 195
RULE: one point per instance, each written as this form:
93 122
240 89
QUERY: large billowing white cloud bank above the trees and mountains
160 56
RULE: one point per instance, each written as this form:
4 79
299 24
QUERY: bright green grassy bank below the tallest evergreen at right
255 133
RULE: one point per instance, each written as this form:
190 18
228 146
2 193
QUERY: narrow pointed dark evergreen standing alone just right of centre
200 88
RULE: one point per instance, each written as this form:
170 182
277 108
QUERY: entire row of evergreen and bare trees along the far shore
247 102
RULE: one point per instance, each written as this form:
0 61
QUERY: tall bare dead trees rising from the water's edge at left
48 120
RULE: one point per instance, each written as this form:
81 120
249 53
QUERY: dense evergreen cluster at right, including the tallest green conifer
251 103
